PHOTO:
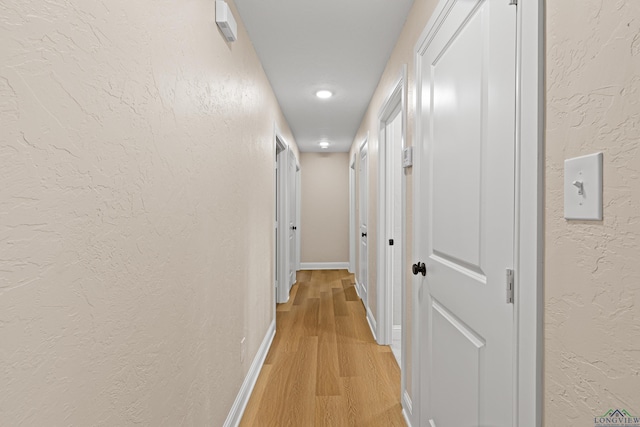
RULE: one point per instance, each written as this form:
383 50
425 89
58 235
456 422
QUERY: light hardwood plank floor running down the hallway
324 368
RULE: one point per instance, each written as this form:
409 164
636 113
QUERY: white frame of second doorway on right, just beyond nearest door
395 100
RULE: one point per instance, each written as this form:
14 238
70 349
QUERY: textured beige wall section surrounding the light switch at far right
592 277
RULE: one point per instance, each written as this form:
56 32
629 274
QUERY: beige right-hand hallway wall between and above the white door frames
403 54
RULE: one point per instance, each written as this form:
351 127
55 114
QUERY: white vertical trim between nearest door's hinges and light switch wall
529 213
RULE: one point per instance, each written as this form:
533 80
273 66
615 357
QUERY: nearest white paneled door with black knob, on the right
466 215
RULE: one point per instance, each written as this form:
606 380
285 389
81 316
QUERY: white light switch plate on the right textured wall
583 187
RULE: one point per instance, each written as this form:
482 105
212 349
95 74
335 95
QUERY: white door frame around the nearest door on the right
529 164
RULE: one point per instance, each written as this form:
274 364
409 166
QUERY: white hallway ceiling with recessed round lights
339 45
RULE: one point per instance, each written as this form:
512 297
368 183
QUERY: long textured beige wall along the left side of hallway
135 249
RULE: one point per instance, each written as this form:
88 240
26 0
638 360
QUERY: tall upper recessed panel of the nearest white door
457 149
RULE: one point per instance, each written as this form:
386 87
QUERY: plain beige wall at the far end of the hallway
324 209
